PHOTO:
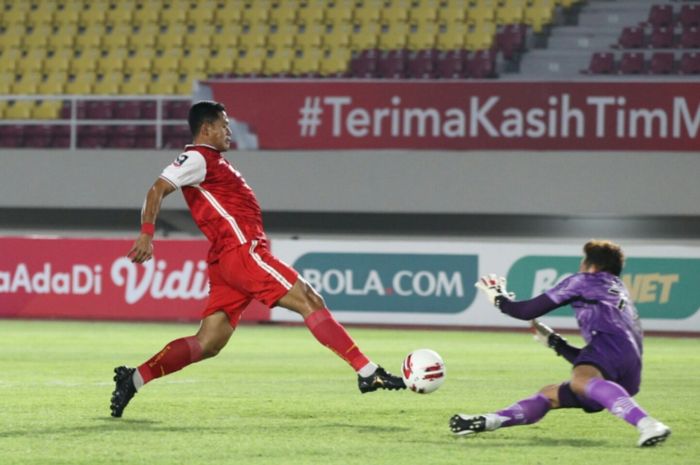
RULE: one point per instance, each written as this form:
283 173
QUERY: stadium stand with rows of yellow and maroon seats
153 52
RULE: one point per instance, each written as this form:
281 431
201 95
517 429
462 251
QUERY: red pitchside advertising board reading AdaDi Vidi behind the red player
92 279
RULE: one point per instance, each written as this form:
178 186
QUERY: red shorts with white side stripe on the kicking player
245 273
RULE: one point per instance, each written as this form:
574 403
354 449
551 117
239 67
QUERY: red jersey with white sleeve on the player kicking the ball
222 204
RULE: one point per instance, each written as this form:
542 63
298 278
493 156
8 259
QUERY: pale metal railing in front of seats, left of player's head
74 121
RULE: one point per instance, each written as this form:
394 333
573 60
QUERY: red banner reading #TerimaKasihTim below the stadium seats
362 114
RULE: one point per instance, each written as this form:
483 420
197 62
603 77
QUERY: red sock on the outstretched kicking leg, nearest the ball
332 335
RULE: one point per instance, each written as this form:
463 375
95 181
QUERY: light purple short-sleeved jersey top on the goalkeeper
602 304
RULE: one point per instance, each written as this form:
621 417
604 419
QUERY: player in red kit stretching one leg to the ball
241 267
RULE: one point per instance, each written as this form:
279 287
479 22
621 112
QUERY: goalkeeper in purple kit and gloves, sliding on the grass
607 371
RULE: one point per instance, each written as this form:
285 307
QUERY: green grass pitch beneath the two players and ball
275 396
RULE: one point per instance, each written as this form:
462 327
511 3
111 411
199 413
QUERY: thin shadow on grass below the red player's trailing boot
108 424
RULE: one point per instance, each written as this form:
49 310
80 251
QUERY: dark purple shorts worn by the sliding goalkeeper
617 359
